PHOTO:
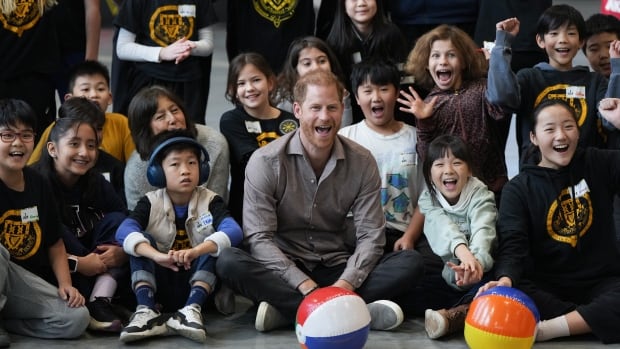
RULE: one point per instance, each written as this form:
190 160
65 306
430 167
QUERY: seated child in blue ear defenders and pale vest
173 236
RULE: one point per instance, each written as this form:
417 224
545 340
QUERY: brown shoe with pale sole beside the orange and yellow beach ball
439 323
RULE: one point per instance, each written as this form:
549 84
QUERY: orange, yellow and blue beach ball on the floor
501 317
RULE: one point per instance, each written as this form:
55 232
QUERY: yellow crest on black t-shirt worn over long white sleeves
167 26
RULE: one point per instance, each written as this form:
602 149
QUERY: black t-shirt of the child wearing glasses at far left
30 224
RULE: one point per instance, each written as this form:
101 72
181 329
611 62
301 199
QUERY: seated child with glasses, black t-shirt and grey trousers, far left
41 301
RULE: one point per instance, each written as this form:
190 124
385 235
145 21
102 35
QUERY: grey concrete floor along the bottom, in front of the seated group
237 331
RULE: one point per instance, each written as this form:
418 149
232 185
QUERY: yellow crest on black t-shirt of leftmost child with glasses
21 239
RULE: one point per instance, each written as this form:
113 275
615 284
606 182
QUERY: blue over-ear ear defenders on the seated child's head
155 173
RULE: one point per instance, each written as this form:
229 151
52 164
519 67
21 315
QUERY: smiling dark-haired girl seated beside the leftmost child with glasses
90 210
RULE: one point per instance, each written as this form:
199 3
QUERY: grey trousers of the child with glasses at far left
31 306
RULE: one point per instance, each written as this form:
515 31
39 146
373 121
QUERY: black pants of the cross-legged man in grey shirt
395 275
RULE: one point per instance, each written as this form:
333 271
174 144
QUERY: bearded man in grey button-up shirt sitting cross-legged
299 190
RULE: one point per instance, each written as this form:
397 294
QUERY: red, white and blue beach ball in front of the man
332 318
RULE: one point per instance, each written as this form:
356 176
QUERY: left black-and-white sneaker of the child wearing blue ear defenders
144 323
